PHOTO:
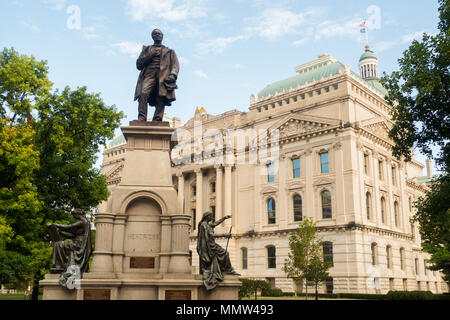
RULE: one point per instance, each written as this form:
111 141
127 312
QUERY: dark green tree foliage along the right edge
420 99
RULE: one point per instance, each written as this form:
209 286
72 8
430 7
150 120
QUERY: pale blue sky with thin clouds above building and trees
227 49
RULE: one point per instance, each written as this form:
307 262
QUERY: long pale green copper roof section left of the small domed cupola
301 79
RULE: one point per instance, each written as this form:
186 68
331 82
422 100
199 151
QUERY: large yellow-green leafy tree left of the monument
48 147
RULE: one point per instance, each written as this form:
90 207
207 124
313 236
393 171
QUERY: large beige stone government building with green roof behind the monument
330 160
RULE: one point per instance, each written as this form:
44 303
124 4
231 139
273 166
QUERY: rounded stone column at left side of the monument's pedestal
102 264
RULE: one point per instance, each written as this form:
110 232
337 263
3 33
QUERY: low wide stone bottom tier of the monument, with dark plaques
140 289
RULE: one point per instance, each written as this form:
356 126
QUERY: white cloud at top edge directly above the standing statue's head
170 10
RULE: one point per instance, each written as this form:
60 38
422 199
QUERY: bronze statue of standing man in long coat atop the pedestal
157 81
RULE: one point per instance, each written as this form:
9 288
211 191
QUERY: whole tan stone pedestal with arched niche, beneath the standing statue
142 237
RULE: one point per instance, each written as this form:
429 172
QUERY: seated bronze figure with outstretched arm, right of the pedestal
214 260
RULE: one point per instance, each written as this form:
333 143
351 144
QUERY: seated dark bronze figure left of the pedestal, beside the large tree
71 258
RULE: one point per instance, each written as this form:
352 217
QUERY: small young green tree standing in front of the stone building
305 258
